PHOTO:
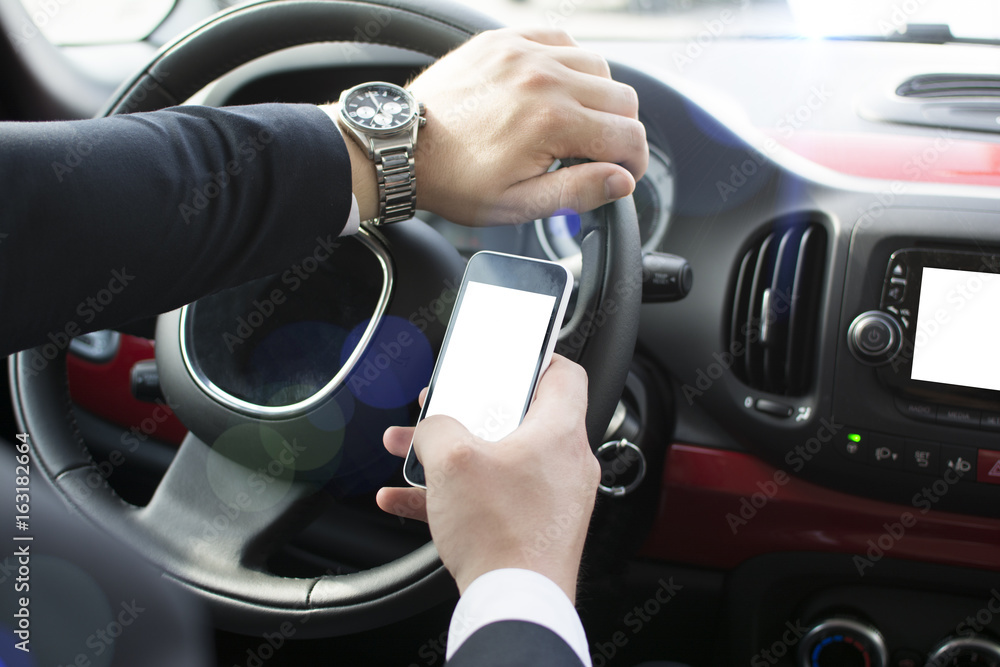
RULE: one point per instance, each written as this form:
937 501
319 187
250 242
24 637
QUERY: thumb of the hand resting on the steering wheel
580 188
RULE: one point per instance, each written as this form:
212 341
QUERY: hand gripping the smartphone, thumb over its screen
523 502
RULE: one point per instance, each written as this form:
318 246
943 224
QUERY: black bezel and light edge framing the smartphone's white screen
513 272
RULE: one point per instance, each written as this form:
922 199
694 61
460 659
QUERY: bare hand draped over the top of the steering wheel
502 107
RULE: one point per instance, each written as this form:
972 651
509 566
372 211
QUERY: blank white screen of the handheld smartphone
486 373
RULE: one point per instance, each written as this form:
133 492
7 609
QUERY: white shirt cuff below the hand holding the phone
517 595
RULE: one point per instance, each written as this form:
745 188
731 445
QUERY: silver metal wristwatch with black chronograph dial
383 118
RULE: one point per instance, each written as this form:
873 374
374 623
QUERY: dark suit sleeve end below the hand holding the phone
514 644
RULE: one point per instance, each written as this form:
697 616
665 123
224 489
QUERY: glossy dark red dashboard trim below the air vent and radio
719 508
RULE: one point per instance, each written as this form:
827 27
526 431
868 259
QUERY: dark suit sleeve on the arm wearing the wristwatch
109 220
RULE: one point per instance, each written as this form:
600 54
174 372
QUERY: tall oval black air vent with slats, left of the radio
775 307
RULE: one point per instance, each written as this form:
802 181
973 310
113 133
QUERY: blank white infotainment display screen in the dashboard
957 338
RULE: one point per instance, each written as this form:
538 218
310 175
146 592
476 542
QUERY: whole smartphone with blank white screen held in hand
498 343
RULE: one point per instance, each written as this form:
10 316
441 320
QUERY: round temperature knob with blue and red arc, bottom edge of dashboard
842 642
